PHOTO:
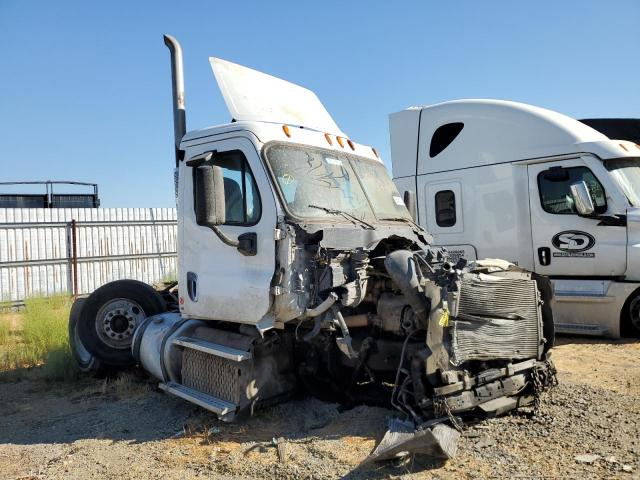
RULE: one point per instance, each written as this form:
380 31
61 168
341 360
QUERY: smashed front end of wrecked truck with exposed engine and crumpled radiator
395 325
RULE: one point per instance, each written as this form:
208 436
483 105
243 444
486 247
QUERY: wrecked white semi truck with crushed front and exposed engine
301 268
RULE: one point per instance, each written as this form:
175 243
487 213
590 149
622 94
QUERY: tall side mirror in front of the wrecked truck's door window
209 195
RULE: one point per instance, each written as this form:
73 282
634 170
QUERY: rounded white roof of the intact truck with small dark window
469 133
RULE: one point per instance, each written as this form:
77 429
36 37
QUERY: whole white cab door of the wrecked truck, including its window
219 281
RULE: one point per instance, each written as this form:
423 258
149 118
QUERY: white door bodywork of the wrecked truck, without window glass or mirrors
230 286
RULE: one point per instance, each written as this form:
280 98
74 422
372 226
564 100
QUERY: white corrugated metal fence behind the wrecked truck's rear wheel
53 251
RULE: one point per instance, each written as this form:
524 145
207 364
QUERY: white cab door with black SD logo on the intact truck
565 244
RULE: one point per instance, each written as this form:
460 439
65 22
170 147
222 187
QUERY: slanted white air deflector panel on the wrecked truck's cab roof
255 96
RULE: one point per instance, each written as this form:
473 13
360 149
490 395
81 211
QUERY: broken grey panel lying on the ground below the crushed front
436 440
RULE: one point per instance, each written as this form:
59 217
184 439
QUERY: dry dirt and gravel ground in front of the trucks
589 428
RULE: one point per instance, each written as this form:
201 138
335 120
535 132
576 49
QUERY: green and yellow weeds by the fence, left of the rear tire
37 337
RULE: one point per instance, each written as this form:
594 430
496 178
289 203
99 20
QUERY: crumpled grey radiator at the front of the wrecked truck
497 318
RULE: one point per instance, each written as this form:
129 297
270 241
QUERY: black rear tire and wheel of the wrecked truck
106 321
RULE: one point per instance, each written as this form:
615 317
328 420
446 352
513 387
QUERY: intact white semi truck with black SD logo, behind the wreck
537 188
